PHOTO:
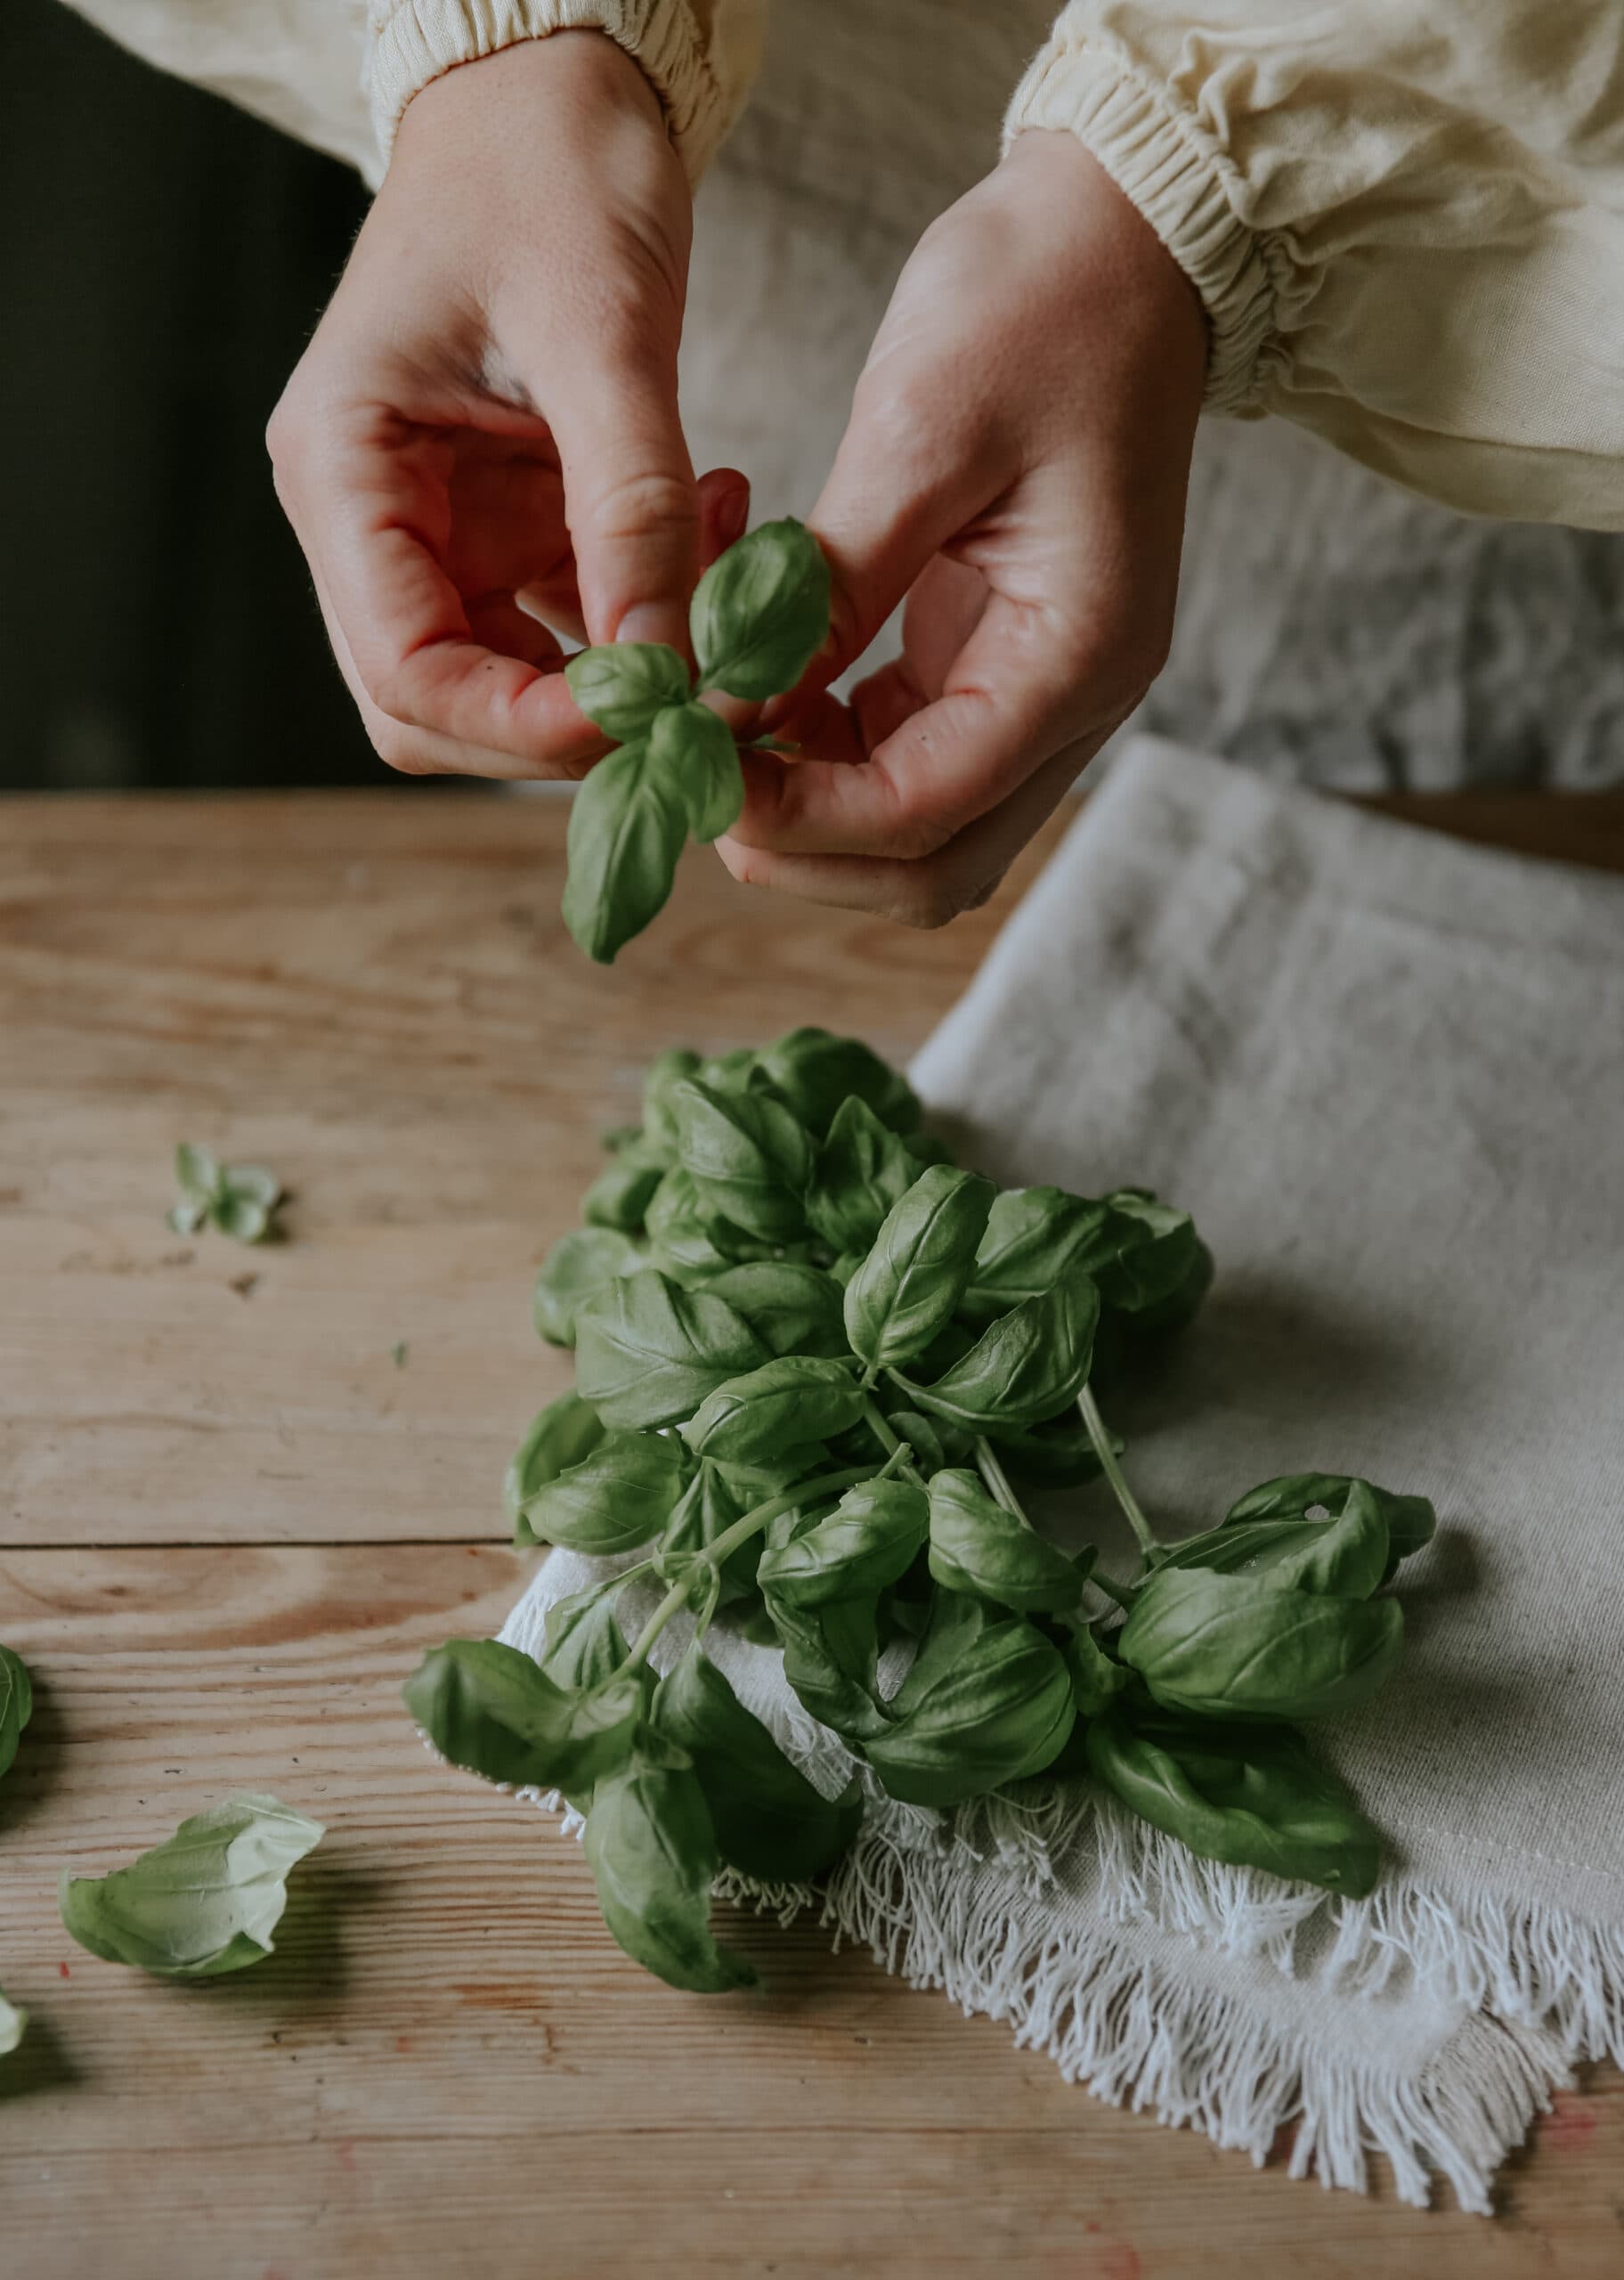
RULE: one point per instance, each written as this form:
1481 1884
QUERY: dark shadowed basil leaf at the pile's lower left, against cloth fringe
770 1821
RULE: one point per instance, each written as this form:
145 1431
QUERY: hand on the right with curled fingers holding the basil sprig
1016 466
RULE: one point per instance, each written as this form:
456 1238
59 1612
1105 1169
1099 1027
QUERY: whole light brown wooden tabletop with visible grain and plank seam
229 1522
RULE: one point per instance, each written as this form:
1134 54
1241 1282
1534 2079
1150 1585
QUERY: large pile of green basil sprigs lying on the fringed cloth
815 1371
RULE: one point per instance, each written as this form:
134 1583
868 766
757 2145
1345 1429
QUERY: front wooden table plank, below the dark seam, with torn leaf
450 2069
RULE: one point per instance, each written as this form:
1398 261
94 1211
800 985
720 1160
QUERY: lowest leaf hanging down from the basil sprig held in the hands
626 833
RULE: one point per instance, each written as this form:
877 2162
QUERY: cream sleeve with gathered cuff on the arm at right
1404 218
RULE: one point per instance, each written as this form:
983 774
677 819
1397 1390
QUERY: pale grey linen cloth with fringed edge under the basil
1388 1077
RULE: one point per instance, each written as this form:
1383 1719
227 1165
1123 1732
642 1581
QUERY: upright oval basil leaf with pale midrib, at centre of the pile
913 1278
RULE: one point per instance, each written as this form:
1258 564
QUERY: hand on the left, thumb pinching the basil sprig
485 427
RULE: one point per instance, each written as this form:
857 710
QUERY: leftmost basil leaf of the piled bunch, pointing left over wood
496 1713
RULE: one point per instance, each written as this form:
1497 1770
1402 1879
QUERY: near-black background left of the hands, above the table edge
165 261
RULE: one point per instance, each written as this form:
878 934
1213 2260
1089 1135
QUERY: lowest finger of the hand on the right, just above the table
934 890
